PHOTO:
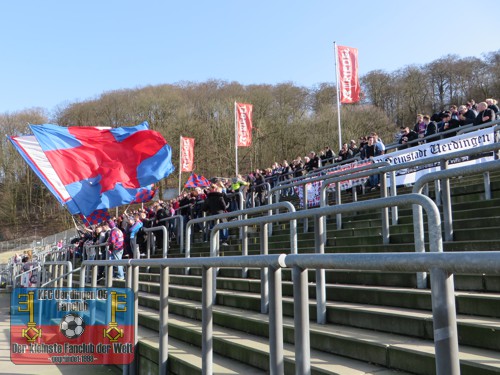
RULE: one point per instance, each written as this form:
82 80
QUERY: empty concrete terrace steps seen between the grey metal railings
365 310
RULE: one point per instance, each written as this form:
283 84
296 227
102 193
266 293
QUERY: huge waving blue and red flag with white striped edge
96 168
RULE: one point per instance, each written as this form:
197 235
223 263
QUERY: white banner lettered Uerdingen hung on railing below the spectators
442 147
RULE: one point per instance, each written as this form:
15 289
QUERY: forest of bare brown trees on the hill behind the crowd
289 121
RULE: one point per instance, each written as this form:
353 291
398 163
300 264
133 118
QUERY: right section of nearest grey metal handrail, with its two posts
440 265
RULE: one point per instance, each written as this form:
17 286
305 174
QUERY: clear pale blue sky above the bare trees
55 52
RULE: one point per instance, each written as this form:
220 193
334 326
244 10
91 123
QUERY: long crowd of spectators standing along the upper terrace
117 235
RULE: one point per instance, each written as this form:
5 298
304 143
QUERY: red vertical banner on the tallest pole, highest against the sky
348 74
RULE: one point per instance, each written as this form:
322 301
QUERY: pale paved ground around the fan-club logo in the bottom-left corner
7 367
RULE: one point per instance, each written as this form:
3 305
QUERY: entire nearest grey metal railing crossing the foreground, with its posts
440 265
